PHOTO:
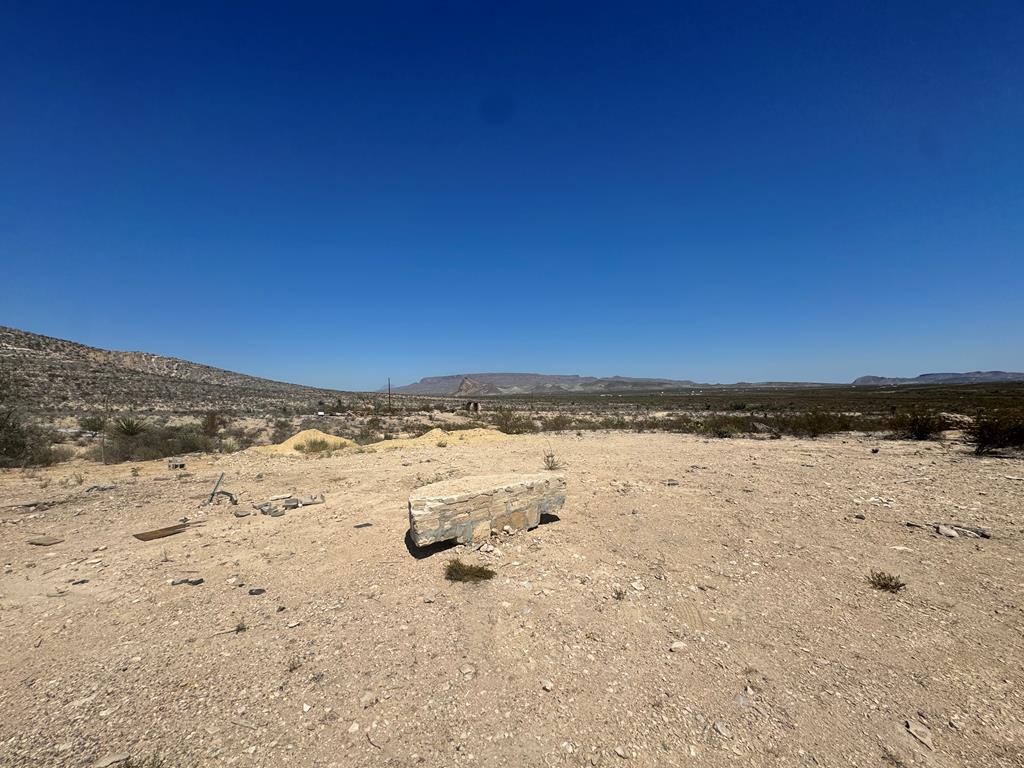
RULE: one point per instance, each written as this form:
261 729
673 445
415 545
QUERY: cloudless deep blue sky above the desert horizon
338 193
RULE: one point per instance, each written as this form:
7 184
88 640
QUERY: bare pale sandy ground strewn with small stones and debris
722 621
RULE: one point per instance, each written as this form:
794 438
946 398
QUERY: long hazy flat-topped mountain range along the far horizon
477 386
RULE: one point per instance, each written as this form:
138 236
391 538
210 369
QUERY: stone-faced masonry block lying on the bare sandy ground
470 509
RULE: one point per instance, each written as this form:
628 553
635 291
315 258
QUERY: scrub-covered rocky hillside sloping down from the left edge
57 375
